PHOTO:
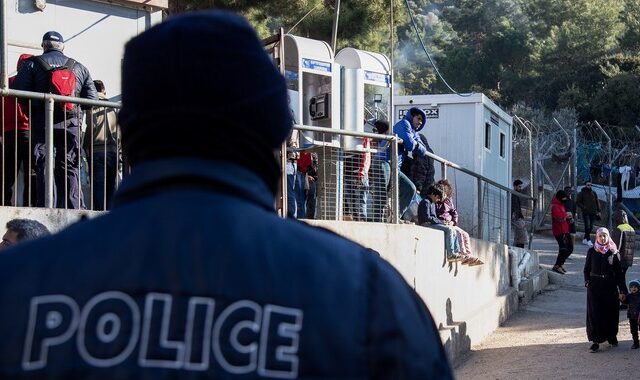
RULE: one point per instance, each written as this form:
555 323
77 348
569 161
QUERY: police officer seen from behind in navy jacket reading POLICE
193 274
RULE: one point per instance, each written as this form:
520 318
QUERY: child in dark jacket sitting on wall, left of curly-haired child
428 217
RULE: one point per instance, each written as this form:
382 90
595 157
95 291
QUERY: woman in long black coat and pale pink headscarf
605 286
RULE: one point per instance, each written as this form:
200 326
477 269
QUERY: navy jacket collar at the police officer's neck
209 175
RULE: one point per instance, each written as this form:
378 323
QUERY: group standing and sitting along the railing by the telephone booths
366 176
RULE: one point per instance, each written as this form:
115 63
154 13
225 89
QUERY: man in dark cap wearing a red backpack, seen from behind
53 72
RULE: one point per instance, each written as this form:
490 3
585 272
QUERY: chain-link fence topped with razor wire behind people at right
565 154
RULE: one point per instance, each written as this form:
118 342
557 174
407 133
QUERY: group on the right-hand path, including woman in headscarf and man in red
609 257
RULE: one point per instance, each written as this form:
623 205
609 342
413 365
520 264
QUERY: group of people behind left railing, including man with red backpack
80 133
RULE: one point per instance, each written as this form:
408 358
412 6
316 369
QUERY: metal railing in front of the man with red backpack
47 166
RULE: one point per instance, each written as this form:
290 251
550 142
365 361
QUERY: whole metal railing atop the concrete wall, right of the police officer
483 204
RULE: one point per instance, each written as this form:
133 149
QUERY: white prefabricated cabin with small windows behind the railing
457 134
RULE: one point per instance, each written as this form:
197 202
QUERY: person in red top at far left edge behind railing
17 151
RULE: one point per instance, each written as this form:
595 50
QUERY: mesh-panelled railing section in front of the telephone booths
344 176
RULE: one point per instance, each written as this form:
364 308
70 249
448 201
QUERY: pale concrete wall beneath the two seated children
467 303
